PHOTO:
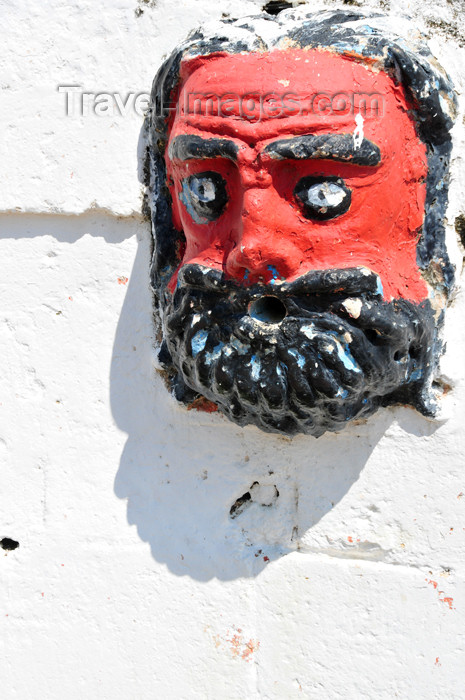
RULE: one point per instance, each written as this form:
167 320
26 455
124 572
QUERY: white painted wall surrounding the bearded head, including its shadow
131 581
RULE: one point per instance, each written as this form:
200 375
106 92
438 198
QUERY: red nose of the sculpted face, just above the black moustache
256 255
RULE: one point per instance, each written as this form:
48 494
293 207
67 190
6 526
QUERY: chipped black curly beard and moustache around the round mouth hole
300 357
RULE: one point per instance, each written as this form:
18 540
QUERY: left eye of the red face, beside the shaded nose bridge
204 196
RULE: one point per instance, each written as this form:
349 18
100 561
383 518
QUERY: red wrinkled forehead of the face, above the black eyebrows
261 95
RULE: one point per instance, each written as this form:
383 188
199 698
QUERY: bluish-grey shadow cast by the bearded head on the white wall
212 499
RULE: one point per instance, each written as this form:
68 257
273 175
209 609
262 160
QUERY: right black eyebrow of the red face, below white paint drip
339 147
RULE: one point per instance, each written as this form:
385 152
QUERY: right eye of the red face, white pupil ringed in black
322 197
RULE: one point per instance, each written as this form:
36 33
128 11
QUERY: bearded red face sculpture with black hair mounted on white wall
298 177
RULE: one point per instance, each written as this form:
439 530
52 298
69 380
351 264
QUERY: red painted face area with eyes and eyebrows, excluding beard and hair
280 169
